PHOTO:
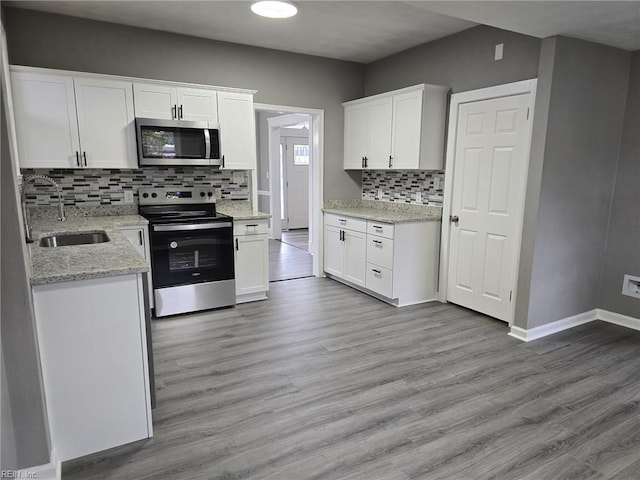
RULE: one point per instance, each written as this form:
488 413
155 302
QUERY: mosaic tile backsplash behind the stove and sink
93 187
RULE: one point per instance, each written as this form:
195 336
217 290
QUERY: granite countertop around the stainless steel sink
82 262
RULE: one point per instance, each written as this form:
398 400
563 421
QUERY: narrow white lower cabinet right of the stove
251 244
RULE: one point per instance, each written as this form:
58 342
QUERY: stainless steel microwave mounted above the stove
177 142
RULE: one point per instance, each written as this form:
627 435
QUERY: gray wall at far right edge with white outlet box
623 245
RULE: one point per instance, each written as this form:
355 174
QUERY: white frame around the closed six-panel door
457 99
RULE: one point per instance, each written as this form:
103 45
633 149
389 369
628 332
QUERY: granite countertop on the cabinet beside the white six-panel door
387 212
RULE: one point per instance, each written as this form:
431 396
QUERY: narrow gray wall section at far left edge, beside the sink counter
24 430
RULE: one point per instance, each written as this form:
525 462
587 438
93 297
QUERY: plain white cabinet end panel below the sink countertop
92 342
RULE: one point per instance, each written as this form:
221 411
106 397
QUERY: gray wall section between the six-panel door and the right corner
581 147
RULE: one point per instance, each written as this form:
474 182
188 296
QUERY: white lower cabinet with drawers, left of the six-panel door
397 263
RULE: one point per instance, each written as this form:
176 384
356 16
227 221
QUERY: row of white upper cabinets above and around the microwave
82 120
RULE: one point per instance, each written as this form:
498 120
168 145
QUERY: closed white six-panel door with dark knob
491 158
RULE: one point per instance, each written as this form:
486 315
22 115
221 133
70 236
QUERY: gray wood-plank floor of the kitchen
323 382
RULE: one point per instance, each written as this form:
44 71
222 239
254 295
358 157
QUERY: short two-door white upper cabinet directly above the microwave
165 102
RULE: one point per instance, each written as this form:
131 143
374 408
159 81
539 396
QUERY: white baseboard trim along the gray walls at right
528 335
